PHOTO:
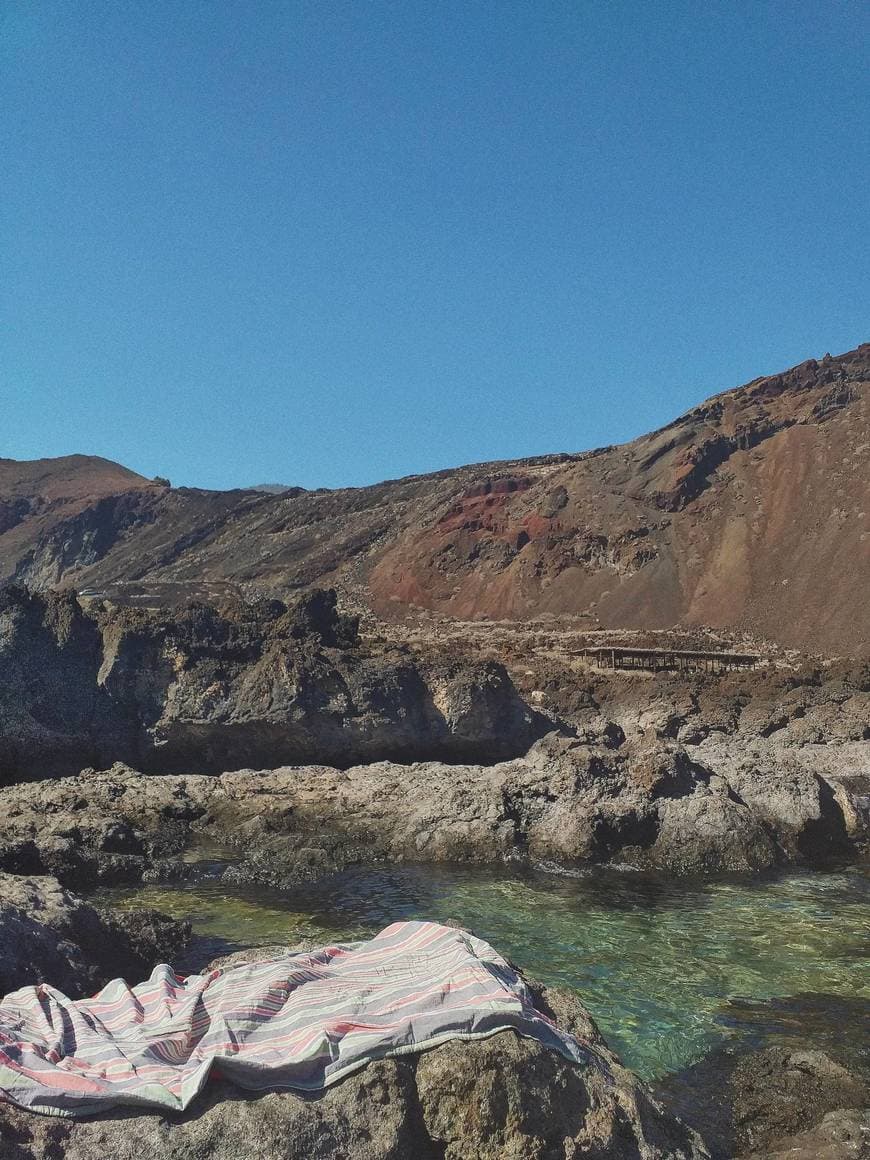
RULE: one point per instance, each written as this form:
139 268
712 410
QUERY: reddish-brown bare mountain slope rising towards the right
752 511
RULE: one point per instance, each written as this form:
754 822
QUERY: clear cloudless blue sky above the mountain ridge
333 242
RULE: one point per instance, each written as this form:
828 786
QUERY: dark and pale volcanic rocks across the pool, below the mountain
686 775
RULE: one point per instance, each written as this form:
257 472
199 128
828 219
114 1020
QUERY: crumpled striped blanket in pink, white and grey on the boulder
300 1021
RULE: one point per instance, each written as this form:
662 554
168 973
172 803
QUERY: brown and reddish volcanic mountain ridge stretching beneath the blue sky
749 513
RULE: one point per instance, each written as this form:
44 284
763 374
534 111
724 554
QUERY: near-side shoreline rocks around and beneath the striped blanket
499 1098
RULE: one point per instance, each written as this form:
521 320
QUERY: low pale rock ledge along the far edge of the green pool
569 802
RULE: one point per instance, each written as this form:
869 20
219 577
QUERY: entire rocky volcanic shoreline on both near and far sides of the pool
307 750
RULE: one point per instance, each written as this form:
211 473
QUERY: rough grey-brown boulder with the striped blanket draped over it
499 1099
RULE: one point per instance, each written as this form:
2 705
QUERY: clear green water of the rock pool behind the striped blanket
668 969
